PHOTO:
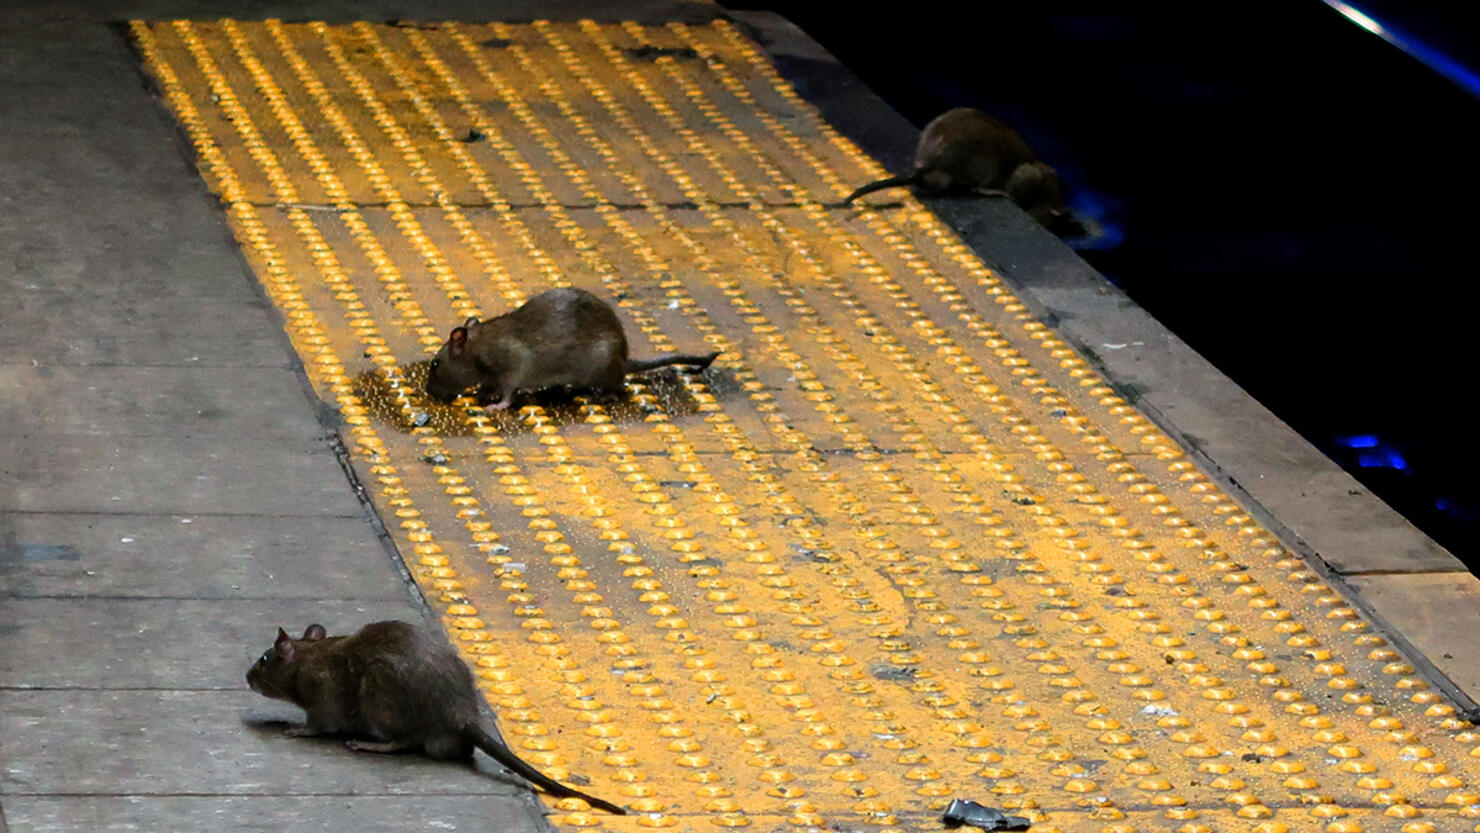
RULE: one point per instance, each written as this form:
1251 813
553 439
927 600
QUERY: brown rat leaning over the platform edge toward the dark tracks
966 150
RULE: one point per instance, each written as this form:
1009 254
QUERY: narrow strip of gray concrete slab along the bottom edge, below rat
195 815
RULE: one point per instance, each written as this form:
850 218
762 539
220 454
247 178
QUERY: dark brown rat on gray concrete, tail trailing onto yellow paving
396 683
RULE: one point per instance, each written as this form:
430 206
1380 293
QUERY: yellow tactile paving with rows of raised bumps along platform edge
902 547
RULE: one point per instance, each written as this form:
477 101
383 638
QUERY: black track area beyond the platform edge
1285 192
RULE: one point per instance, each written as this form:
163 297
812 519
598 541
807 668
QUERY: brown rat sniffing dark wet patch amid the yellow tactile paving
563 337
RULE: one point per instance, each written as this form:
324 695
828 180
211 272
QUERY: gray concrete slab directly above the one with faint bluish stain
223 476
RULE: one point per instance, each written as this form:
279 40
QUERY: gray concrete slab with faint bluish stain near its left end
196 557
